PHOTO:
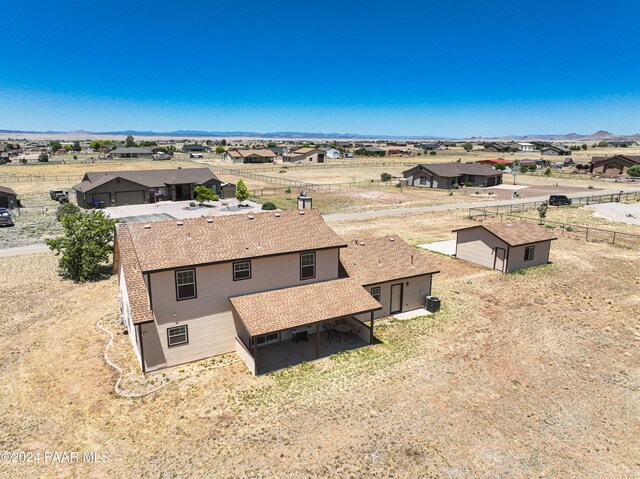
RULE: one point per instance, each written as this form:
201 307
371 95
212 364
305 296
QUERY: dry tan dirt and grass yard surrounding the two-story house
522 375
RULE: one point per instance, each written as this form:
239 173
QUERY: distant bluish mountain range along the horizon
599 135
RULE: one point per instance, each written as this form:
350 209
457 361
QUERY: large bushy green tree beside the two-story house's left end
85 246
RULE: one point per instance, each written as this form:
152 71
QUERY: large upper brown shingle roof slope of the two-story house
167 245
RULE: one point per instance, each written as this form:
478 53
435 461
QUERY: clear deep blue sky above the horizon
449 68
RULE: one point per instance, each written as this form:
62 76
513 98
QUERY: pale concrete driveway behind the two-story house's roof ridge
178 210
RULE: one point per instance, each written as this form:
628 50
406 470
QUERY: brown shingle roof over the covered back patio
289 308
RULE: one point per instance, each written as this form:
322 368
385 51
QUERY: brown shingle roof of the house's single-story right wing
376 260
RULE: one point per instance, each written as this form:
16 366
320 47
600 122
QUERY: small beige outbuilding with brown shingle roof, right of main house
504 247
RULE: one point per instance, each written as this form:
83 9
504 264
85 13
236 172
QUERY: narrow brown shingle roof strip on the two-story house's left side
136 287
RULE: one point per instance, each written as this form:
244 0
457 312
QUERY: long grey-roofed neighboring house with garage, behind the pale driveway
118 188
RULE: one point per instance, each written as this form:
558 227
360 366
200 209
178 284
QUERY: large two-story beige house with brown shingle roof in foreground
202 287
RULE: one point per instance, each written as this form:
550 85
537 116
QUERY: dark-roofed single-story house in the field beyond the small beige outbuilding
445 175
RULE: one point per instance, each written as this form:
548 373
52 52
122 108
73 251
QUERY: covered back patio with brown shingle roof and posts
288 326
